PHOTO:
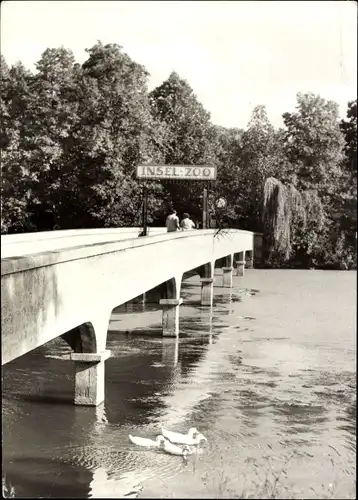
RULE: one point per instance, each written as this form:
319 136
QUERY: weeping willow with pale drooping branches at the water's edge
291 221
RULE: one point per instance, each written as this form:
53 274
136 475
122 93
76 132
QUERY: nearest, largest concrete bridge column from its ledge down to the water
89 377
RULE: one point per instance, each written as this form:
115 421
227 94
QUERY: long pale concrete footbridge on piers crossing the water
66 283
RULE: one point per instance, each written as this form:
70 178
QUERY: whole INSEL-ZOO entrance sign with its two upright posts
176 173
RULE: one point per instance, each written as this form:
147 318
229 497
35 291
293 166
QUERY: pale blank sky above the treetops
235 55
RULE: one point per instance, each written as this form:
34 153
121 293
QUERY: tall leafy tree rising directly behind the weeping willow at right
314 147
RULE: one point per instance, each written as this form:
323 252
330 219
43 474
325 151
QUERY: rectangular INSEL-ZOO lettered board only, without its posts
177 172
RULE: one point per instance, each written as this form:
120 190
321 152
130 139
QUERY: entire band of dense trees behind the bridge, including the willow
72 135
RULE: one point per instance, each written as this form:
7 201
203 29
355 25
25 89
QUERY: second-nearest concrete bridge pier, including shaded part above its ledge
170 304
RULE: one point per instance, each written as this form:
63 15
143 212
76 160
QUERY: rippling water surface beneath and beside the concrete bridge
268 375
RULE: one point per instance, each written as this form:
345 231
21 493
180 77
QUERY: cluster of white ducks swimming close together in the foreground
168 441
